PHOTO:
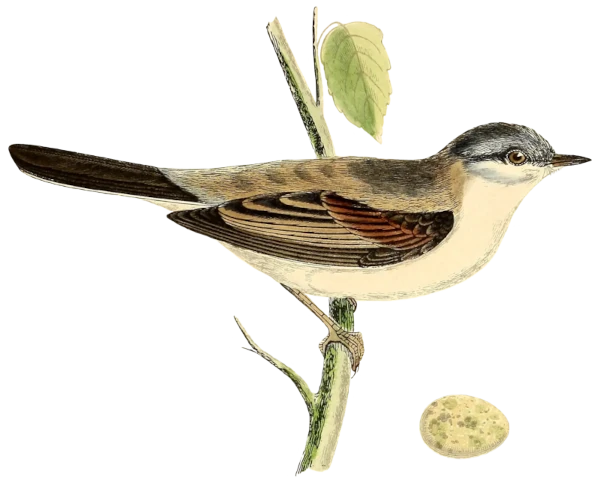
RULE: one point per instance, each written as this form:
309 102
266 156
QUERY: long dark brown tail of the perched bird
96 173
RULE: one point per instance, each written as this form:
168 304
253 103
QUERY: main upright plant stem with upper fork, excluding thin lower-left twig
327 421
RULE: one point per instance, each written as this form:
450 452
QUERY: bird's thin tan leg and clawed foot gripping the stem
354 341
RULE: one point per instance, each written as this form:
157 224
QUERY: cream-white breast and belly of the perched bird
479 230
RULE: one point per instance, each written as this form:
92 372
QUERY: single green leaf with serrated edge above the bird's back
357 68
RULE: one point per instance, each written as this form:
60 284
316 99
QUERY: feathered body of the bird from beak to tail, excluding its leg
371 228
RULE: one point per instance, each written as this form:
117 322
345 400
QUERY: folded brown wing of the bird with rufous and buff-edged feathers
319 227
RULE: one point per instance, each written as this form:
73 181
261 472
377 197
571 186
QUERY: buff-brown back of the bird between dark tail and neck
426 184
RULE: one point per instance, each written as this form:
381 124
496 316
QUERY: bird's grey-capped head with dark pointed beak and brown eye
509 153
